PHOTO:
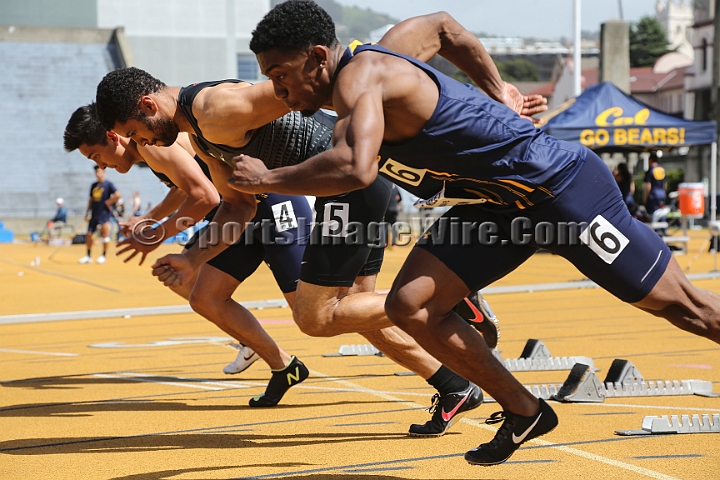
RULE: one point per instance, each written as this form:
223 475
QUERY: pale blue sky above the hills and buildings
548 19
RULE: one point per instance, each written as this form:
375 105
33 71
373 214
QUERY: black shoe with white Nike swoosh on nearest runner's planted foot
514 431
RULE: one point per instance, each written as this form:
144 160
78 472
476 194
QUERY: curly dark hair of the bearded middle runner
118 95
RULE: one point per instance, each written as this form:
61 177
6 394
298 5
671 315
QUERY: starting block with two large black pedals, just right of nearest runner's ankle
623 380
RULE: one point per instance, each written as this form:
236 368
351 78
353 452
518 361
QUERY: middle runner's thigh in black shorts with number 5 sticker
348 237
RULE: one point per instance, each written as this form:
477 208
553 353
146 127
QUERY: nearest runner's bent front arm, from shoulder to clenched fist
352 162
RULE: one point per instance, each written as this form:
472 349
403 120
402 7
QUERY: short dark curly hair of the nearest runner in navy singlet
292 26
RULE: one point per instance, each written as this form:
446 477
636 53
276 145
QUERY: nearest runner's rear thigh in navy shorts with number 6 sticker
615 250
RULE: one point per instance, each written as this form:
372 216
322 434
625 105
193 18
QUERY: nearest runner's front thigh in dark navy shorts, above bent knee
475 244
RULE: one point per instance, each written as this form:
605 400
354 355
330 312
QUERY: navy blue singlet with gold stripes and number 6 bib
476 149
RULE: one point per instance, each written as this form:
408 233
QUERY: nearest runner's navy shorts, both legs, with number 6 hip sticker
587 223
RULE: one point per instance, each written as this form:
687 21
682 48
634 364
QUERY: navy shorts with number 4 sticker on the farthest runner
280 231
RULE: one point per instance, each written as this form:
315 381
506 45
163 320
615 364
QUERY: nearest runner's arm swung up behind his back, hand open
439 33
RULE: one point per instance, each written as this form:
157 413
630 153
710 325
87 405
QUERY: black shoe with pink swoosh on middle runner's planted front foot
446 409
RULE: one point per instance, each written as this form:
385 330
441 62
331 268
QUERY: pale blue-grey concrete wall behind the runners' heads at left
43 82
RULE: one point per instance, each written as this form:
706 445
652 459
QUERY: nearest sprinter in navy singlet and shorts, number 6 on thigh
453 146
